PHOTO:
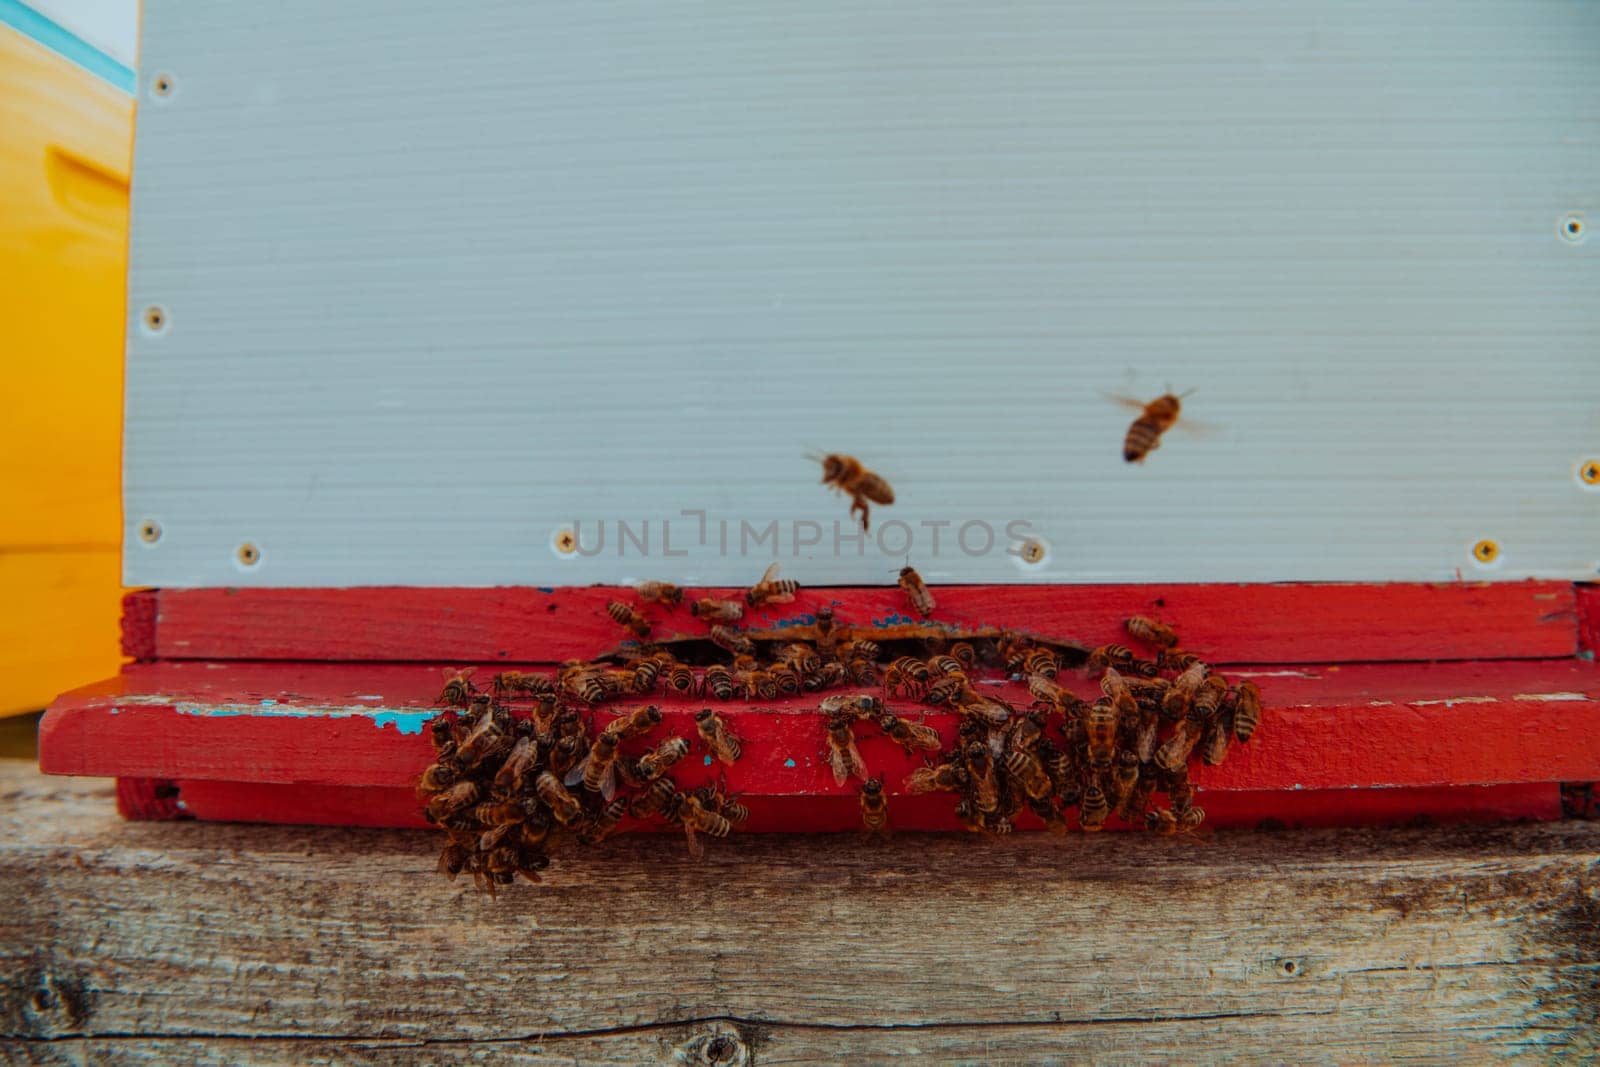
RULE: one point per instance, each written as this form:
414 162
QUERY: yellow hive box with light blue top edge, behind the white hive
68 119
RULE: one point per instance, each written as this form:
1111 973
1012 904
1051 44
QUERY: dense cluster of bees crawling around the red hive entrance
524 769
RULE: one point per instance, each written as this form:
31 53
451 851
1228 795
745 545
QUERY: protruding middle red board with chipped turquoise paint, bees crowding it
1337 727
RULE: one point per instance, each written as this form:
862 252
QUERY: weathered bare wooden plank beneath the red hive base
1351 946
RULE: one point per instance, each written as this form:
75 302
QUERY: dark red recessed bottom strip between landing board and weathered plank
388 807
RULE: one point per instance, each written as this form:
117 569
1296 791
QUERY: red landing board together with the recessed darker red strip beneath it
305 732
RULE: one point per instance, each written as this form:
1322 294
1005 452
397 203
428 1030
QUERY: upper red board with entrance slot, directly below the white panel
1260 625
